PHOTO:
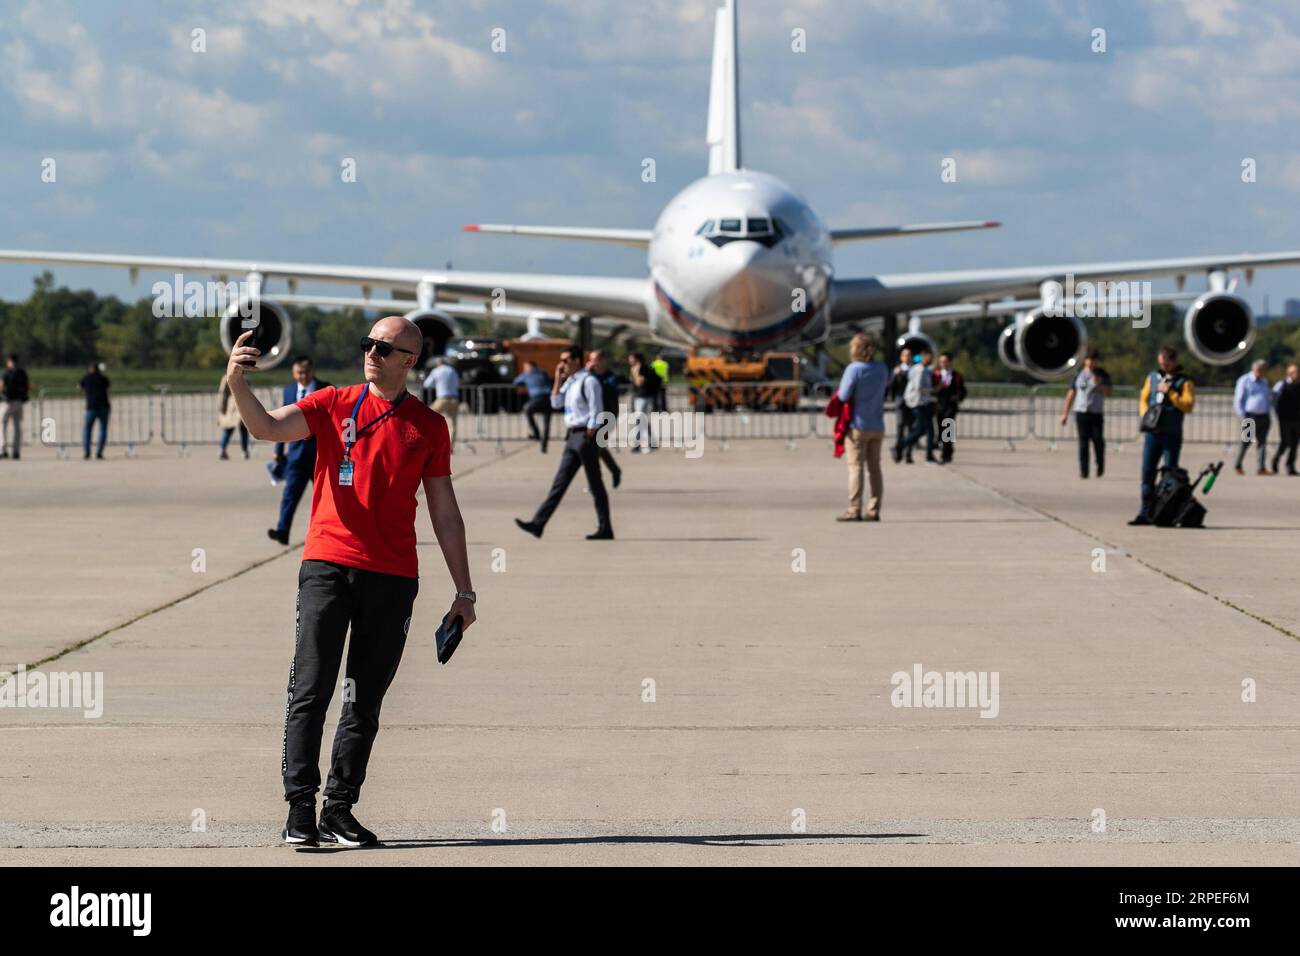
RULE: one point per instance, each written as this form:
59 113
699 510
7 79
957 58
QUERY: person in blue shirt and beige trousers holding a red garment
864 388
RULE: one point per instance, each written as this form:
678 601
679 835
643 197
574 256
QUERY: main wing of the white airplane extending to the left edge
621 299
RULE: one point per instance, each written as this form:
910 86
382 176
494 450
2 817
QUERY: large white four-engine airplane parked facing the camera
740 261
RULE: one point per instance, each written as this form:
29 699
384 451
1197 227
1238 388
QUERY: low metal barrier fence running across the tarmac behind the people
493 414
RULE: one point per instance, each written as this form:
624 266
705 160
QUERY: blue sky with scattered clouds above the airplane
1134 153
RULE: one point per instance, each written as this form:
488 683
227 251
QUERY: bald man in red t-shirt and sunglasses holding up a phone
376 445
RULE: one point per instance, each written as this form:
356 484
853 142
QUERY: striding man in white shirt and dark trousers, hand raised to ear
578 392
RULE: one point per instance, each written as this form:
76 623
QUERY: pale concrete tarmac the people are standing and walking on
770 634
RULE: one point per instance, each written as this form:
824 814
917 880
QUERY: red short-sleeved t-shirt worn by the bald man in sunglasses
371 525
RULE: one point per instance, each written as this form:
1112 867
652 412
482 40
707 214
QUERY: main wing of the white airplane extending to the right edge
878 296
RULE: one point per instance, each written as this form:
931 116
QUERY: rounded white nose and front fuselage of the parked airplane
740 261
